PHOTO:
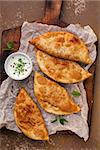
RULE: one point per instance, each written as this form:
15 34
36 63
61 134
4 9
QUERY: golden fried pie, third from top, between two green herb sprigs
52 97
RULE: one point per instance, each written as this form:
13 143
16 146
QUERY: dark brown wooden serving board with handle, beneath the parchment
51 17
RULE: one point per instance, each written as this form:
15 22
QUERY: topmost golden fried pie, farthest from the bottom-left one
63 45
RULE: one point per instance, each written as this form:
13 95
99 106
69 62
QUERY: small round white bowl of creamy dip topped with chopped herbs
12 63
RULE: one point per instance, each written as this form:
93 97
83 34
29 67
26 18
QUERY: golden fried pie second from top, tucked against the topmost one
63 71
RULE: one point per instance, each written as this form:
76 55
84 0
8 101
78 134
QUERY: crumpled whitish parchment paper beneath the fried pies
77 123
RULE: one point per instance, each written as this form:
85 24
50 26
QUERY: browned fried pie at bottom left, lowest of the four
29 118
